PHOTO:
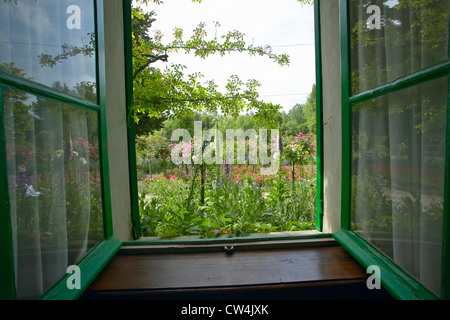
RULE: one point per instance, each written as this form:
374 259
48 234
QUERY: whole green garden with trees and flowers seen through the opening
225 198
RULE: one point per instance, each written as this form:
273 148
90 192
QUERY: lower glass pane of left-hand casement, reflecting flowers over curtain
54 188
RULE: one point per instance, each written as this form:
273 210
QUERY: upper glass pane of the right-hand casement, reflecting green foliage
393 38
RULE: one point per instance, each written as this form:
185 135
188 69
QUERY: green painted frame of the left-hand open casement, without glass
94 261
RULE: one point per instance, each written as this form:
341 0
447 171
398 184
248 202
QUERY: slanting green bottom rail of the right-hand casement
395 280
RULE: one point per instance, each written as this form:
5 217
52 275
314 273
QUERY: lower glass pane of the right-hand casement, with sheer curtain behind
398 176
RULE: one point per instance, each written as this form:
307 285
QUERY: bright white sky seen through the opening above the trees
283 24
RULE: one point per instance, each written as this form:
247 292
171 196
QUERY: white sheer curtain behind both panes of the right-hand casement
399 138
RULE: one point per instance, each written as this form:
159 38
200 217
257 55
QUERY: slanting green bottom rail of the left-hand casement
90 267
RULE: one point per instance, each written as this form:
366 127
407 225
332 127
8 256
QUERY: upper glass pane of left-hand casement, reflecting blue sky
51 42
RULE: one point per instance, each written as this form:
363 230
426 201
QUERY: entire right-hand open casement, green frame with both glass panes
395 93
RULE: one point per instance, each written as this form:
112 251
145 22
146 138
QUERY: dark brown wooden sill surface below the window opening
219 269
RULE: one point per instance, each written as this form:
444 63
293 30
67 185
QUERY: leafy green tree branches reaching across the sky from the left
170 92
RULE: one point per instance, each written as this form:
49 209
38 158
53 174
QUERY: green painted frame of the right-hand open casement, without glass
398 283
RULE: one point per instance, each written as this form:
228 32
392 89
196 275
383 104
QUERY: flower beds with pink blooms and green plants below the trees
211 200
